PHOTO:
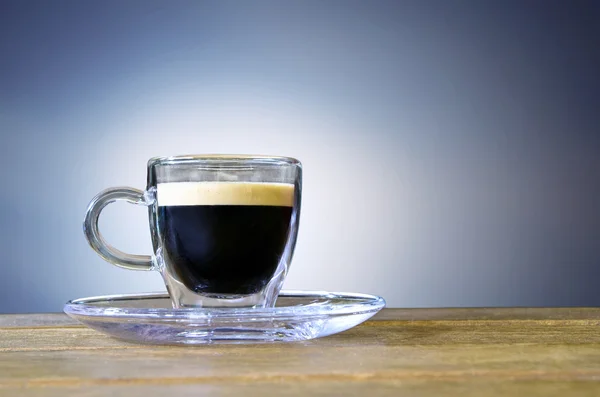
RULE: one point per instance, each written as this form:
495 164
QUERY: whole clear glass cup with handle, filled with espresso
223 227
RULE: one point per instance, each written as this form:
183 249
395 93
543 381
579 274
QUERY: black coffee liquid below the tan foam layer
224 249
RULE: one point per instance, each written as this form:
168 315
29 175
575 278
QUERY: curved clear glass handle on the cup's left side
95 239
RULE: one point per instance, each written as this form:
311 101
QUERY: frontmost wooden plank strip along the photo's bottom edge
433 388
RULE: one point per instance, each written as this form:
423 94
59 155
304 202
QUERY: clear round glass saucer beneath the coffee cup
297 316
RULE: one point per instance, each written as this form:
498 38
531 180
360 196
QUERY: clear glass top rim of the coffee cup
226 158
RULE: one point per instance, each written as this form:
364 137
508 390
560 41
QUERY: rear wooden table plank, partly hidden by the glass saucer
375 333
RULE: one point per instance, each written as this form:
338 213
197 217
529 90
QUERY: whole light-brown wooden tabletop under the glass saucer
421 352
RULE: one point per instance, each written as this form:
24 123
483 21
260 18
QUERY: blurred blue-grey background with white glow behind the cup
451 149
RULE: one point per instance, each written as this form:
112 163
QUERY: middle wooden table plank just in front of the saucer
295 364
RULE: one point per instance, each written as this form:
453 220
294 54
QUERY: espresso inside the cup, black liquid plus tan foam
224 237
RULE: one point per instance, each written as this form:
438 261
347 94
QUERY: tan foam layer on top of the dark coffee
225 193
